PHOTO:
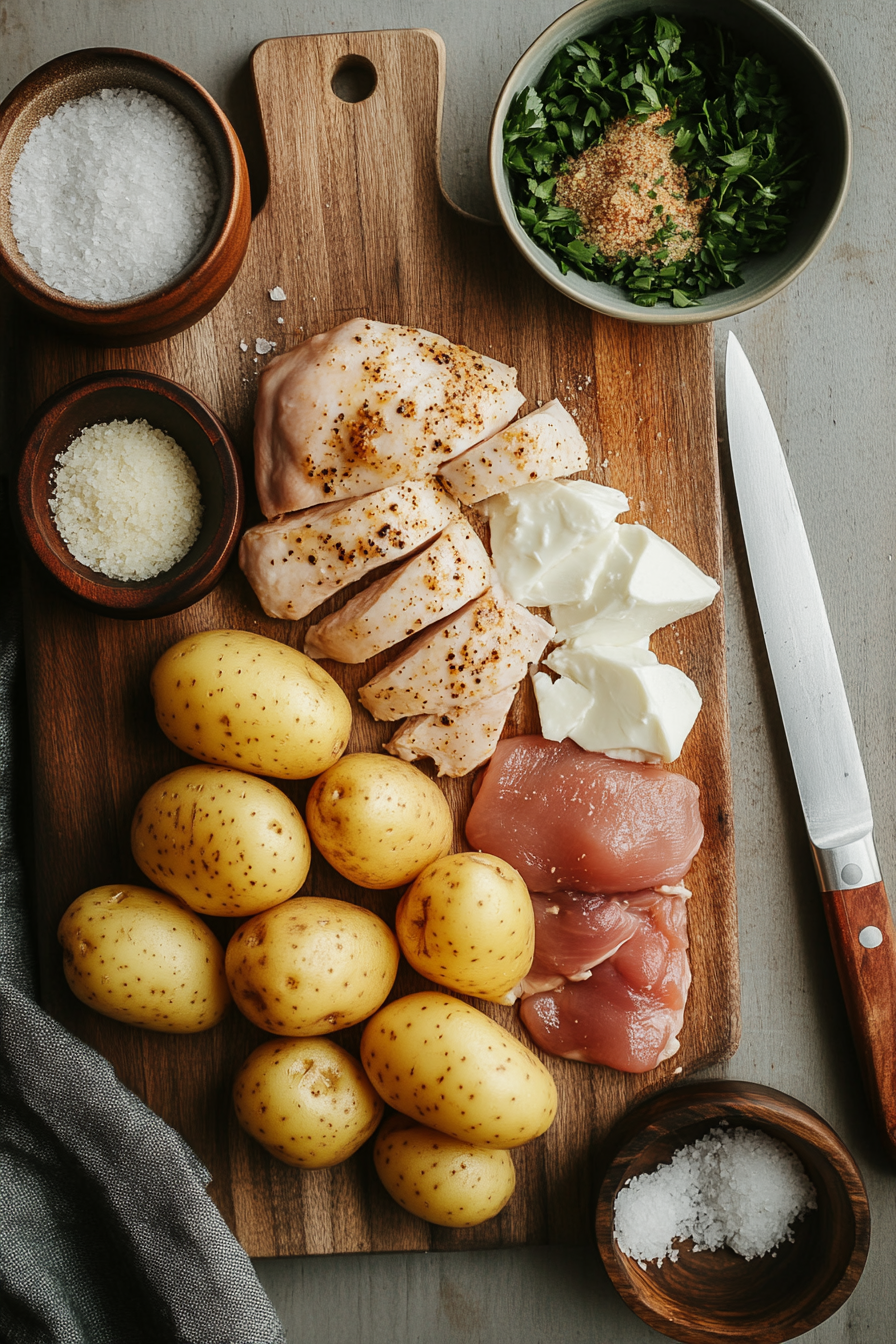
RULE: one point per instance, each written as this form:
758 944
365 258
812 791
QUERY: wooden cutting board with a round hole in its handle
357 224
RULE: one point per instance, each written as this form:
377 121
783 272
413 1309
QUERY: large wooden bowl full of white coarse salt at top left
124 197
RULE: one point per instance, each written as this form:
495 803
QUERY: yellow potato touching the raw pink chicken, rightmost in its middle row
468 924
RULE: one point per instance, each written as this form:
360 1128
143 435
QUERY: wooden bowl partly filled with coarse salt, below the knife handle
731 1212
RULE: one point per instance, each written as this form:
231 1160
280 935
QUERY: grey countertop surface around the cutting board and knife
825 354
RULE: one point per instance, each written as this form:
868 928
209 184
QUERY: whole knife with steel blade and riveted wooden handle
820 734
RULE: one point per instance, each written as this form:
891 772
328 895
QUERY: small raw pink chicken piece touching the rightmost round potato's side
574 933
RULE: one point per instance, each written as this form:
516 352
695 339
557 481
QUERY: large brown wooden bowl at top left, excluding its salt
209 276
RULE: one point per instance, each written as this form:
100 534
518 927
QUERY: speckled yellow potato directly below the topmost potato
226 843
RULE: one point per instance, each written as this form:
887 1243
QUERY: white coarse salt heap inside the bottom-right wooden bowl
740 1189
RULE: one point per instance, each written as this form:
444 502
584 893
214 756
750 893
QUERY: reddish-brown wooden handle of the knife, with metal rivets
864 941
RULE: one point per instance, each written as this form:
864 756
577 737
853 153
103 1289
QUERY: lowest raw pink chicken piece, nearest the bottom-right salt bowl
629 1013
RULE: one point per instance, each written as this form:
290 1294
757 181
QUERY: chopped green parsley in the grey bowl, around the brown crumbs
735 131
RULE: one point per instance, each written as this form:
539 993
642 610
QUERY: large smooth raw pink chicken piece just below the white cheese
573 819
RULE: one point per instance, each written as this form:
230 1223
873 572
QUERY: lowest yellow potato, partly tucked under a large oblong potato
440 1178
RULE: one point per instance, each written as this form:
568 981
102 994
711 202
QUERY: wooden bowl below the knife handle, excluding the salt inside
713 1296
